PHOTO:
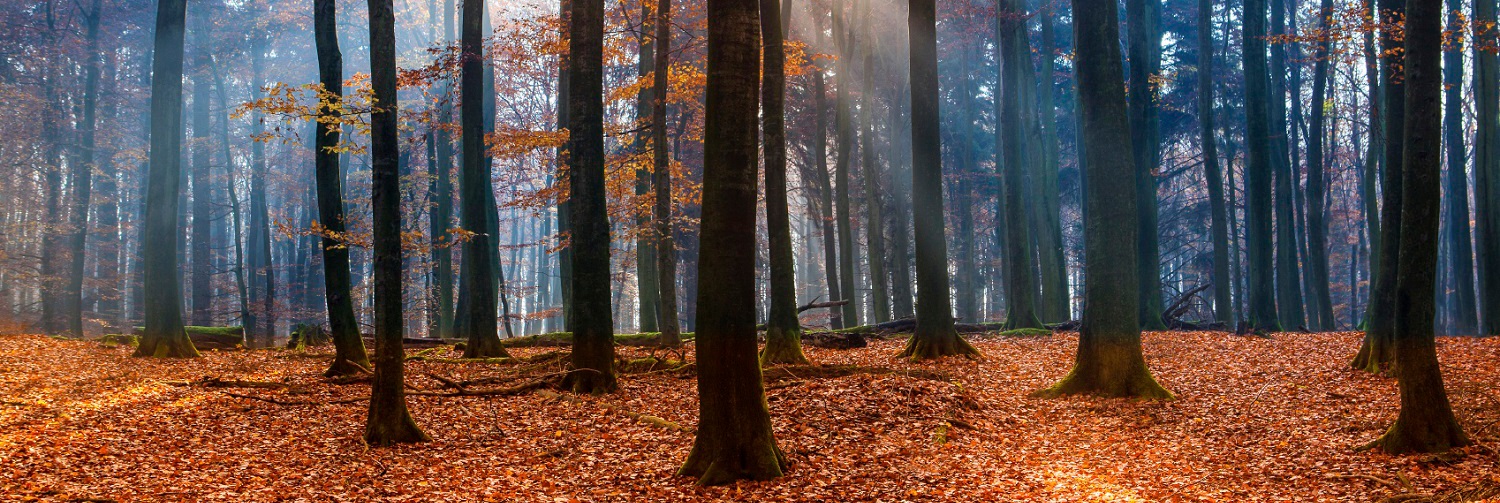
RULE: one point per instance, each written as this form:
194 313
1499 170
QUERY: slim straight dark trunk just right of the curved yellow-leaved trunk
388 423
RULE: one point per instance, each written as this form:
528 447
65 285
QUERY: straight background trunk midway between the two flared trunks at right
1258 172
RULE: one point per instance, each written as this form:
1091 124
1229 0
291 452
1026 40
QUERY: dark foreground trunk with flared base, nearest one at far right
1427 421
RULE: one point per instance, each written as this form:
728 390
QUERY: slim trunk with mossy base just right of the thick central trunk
784 333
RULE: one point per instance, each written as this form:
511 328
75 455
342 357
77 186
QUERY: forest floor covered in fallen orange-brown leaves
1253 421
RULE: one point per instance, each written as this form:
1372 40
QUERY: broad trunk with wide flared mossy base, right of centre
1109 361
